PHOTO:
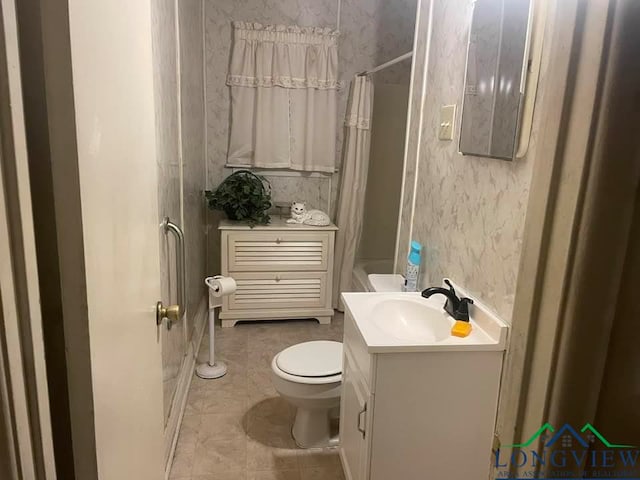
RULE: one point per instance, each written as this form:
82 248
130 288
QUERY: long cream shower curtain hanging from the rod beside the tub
353 184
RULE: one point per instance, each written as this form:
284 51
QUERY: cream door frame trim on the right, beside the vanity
559 216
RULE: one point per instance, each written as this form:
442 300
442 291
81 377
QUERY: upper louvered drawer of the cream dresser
277 251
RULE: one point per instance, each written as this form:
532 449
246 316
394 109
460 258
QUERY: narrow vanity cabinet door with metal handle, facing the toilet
353 423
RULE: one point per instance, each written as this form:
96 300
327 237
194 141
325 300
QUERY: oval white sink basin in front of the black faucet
409 320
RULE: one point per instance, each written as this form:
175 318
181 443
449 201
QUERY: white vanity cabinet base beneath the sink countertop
416 412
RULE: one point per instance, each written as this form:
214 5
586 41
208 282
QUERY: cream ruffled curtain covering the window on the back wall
284 82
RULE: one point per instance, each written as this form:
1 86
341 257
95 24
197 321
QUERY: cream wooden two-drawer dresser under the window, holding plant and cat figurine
282 271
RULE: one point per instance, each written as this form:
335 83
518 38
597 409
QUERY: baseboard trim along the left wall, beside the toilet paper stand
172 431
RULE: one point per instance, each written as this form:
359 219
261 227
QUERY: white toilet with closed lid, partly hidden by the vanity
308 375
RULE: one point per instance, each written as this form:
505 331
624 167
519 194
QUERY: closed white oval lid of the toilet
321 358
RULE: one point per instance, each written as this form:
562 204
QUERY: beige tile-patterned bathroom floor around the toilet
237 427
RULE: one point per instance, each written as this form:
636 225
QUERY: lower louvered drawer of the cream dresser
279 290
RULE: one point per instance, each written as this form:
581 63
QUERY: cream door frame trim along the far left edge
24 389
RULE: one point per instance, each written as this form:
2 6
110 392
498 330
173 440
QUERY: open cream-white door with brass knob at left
112 75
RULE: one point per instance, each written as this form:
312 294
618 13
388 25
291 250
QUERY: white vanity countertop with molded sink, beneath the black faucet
407 322
